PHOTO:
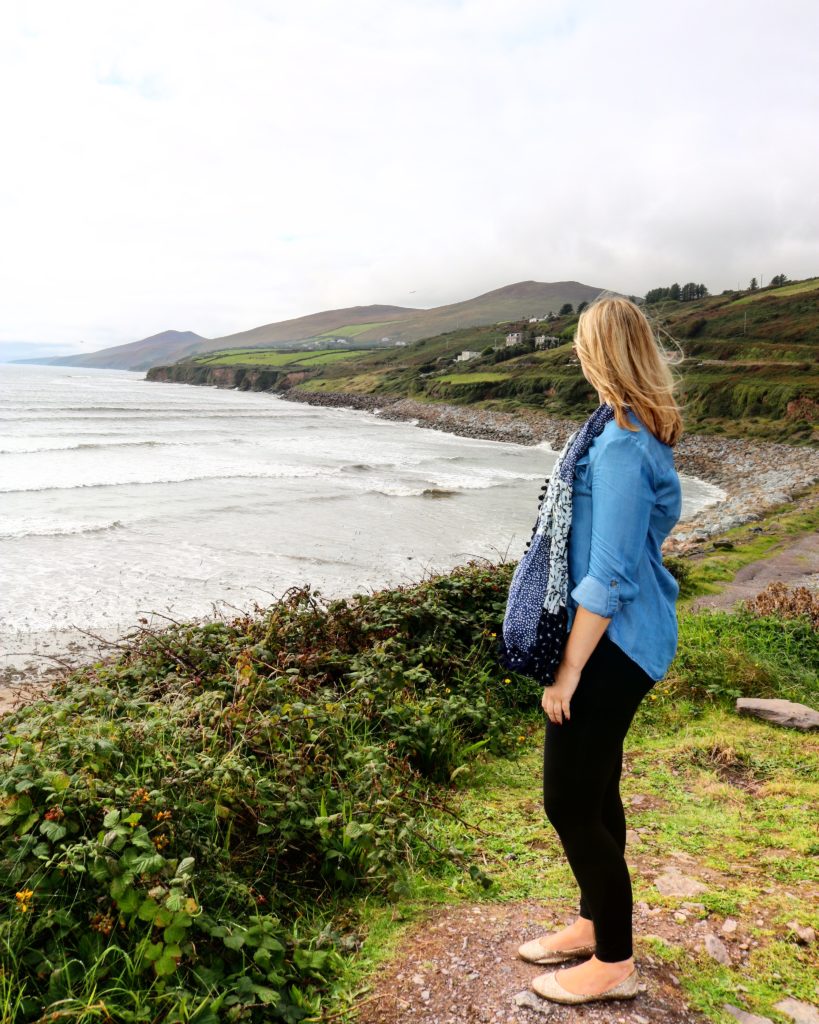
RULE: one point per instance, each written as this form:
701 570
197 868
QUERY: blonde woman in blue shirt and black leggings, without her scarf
623 637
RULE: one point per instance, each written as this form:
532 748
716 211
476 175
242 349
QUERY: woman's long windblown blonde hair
623 359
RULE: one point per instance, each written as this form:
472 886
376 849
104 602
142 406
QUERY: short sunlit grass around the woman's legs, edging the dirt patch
734 833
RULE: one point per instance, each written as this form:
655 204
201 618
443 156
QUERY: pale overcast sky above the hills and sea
213 166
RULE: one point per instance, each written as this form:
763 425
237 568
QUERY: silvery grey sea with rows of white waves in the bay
124 499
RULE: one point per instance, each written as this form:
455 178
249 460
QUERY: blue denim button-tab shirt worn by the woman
626 500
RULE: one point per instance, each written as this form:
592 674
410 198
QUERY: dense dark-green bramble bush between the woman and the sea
174 821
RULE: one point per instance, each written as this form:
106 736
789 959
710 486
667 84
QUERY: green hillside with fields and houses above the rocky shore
745 358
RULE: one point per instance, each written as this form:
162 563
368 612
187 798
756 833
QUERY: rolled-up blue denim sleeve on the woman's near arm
623 497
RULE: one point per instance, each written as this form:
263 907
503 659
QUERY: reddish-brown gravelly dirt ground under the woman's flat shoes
459 965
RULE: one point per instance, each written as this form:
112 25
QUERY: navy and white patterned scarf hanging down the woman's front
535 630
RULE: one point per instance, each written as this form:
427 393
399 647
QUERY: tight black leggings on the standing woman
583 761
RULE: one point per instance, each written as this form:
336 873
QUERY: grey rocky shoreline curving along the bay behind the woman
754 476
